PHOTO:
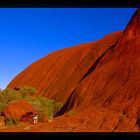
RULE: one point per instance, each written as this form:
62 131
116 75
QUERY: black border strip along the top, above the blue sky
68 3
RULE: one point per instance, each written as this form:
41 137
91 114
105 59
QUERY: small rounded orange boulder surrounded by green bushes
17 109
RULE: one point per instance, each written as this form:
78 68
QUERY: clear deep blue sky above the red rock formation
28 34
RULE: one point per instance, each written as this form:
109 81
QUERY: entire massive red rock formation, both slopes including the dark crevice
100 81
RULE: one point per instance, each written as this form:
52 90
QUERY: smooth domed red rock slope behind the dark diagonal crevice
57 75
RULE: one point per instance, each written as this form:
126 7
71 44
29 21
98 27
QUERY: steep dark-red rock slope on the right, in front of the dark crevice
115 83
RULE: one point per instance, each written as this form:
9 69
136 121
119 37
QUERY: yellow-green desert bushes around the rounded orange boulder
43 106
